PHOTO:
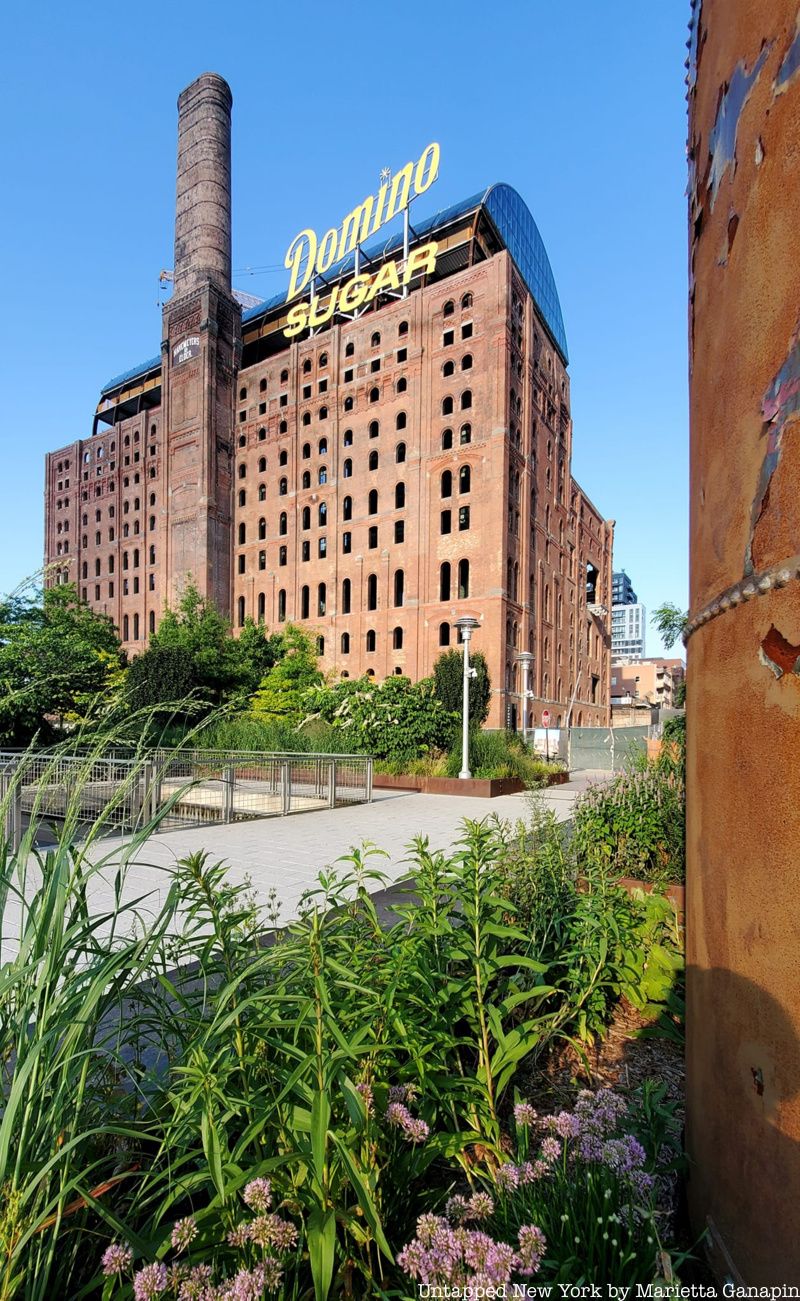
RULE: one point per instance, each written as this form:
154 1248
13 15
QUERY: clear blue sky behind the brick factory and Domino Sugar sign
577 105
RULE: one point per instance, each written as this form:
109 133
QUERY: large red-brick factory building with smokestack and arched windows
374 479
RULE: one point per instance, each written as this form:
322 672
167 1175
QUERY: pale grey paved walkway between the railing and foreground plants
287 854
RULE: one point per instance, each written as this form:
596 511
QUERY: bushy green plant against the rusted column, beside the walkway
635 825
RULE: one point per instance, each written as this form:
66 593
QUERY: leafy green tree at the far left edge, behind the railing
57 655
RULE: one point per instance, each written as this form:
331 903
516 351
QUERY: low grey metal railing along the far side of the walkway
181 788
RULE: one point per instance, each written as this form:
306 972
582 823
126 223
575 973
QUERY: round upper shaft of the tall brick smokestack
204 185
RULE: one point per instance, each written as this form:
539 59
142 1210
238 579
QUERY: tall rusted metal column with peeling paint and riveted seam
743 701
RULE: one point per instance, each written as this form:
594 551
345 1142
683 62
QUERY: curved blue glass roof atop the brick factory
516 227
